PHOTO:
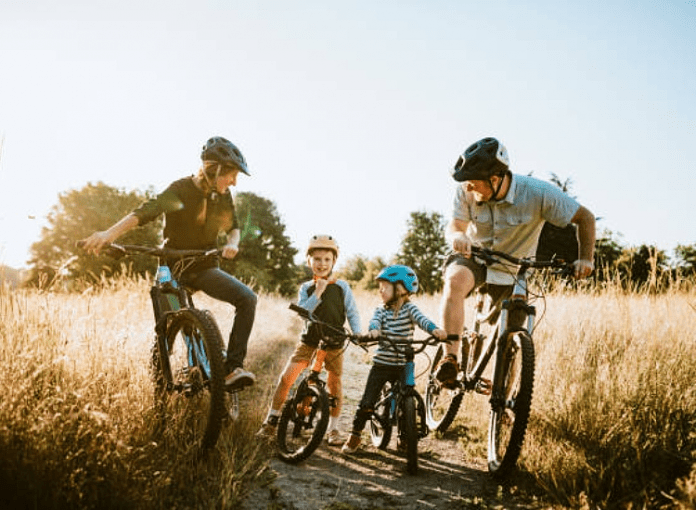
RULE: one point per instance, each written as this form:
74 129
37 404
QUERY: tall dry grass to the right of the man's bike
614 410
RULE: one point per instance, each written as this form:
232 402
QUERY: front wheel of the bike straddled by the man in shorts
509 418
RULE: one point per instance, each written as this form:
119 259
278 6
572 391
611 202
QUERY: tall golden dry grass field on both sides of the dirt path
613 425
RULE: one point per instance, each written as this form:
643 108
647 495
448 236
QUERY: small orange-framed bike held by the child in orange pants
305 414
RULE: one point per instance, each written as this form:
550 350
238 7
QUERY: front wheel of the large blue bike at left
190 388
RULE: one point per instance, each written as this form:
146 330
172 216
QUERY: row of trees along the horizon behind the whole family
266 258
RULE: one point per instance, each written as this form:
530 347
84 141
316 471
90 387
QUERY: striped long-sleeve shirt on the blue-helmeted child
397 327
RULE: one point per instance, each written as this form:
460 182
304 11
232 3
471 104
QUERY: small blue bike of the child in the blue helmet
401 406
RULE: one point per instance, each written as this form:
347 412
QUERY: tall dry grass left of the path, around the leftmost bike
76 418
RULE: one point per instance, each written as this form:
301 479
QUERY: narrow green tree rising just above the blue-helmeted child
423 248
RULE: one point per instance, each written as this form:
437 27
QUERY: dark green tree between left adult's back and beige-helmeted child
266 254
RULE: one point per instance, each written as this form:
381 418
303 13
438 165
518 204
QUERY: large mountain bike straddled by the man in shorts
501 332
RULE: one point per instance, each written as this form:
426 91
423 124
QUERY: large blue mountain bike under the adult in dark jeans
188 358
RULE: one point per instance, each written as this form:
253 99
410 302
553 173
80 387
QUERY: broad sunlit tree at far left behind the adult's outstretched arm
80 213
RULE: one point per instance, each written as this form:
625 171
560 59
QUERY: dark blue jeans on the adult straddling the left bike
221 285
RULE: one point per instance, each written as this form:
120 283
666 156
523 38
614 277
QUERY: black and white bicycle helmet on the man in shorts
481 161
